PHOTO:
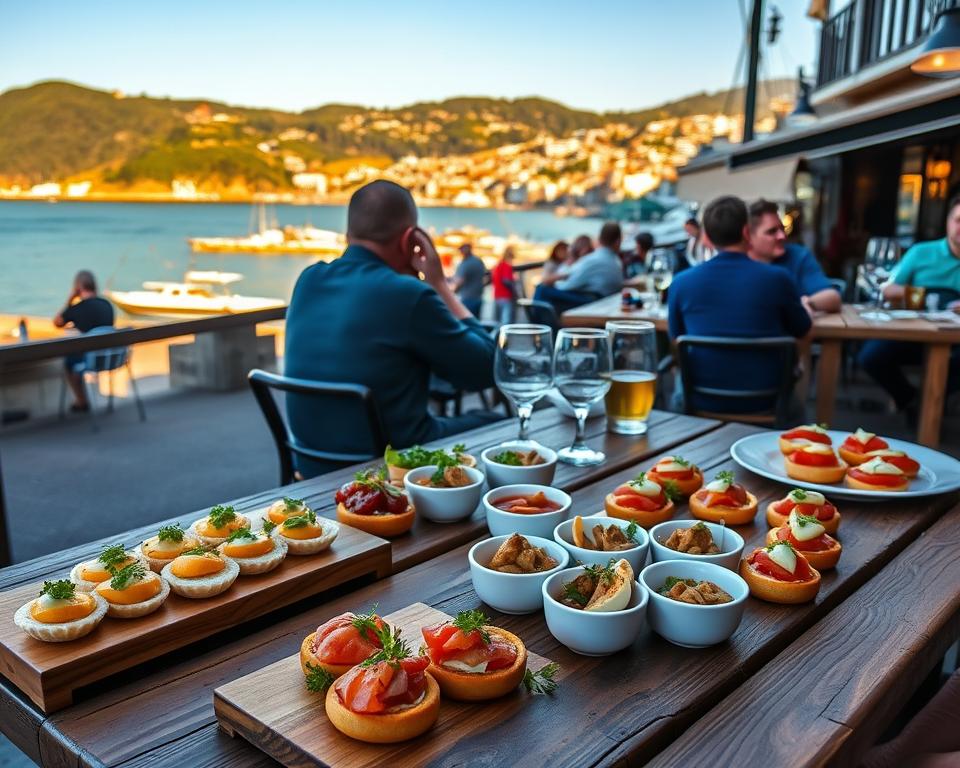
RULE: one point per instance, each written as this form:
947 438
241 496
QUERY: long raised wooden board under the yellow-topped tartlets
49 673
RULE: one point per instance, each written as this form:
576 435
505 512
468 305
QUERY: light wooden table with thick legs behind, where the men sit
831 330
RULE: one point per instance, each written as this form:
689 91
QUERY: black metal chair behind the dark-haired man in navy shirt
783 346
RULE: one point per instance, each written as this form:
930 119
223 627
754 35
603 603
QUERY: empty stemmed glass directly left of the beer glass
581 371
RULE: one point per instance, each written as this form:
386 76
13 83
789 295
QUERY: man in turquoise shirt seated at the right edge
935 266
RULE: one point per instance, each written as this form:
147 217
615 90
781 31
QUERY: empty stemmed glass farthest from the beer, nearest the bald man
522 368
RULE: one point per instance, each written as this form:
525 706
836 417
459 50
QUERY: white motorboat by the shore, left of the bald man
200 293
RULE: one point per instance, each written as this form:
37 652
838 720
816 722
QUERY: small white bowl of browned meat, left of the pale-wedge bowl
511 592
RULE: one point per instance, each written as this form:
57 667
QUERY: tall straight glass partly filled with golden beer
633 378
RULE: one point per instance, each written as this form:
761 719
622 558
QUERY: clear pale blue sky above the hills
296 54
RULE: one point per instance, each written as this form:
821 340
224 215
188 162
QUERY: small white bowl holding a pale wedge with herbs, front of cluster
586 632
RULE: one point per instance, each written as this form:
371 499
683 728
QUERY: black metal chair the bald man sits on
354 395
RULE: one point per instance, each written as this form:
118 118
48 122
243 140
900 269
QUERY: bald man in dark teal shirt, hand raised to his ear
369 318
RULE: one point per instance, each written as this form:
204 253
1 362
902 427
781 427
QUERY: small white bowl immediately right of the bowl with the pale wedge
693 626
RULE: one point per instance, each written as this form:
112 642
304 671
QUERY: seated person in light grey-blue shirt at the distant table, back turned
594 276
